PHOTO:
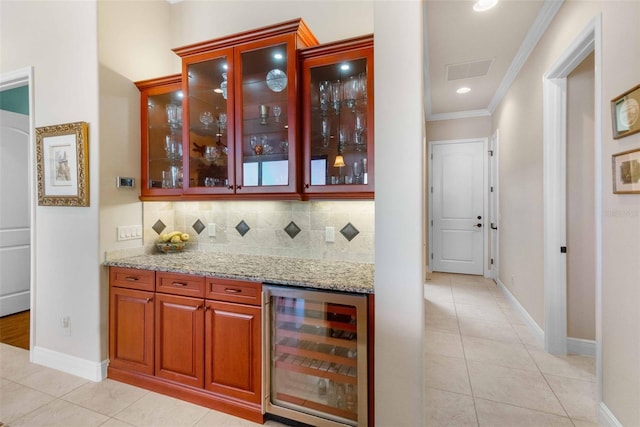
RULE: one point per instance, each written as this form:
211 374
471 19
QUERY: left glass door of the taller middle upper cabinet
209 136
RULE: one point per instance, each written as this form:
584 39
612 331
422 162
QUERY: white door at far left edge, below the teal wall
14 213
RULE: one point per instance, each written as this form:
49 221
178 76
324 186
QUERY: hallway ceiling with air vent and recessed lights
480 50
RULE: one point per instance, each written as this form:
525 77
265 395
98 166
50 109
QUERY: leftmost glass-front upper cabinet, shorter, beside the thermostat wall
161 130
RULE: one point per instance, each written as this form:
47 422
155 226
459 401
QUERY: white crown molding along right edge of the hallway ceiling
548 11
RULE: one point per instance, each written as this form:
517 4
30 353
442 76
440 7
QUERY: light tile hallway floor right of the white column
483 367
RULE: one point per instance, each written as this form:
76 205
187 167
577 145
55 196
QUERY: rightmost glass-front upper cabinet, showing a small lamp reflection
338 119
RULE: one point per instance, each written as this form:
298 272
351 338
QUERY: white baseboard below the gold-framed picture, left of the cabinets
92 371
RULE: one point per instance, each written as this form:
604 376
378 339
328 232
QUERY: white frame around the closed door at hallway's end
486 271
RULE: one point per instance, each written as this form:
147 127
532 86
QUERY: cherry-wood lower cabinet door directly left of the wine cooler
233 350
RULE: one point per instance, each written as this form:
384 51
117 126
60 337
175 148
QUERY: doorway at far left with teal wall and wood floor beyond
18 209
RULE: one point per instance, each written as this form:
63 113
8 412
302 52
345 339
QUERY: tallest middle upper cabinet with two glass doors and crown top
241 94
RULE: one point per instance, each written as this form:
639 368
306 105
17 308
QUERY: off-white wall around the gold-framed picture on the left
59 40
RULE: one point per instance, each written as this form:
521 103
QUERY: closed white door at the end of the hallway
457 206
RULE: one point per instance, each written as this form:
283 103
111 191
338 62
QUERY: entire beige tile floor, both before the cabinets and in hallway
482 368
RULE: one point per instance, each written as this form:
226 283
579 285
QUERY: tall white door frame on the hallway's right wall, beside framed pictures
554 187
